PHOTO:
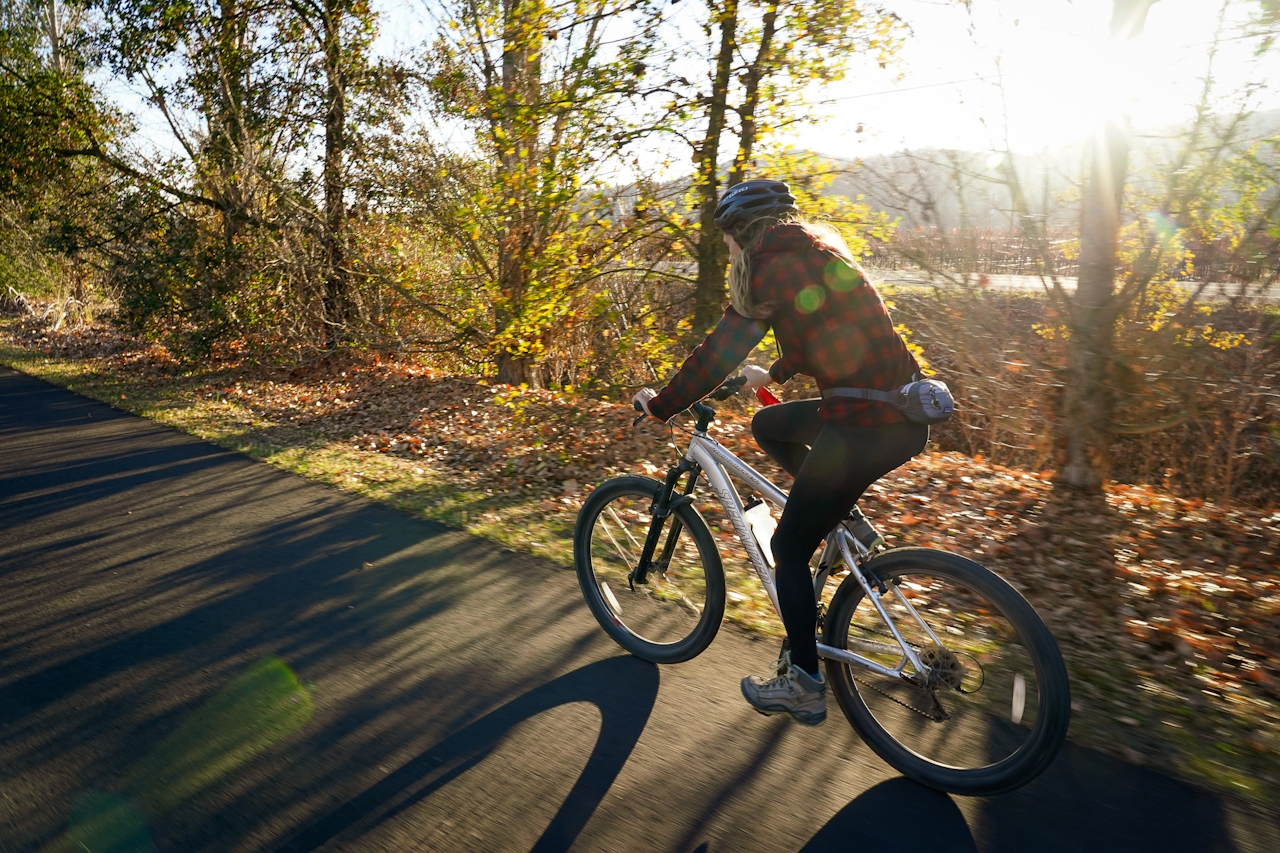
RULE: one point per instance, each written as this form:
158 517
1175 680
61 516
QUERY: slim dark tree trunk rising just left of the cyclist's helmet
712 253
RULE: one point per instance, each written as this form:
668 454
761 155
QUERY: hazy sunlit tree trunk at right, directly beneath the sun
1089 400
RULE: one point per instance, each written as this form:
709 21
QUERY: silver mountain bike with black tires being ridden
940 665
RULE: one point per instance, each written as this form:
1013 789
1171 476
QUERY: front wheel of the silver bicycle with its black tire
676 615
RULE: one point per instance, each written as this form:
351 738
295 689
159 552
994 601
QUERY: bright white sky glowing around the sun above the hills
1050 57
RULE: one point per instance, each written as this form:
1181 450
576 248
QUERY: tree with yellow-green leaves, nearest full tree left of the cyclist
540 89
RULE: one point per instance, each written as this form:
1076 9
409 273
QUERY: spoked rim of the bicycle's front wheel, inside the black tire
673 604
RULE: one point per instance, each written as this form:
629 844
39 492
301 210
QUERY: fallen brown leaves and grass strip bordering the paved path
1168 610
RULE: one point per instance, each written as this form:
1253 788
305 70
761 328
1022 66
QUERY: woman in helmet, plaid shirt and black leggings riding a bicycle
802 281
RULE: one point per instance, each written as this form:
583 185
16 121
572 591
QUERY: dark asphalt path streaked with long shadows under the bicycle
199 653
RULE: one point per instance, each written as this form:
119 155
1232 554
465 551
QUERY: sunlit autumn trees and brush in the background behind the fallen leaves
482 204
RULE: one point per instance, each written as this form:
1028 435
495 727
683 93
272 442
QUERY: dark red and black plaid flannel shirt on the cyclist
829 321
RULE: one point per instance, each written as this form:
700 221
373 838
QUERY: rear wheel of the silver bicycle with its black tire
894 718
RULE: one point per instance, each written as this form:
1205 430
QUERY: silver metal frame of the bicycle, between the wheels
720 464
